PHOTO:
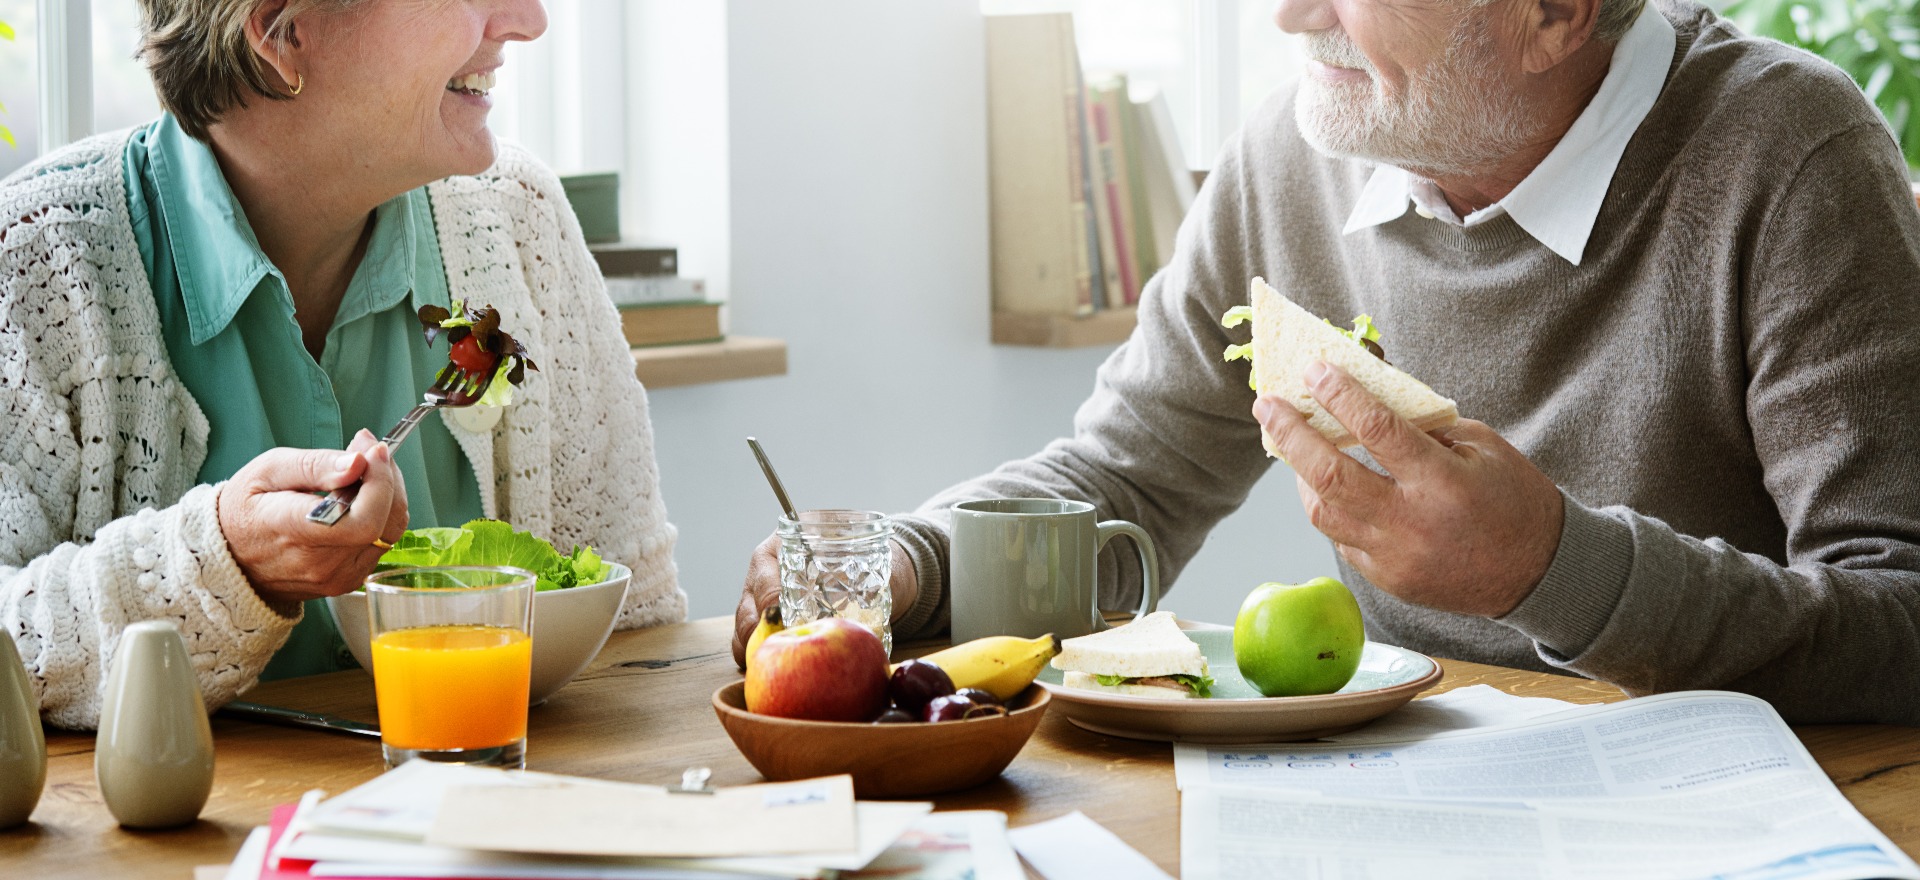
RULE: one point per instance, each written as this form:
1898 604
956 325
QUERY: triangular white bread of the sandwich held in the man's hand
1287 339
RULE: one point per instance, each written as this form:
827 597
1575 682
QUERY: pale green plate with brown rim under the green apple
1387 679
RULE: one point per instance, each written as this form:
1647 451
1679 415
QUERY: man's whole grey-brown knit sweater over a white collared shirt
1727 389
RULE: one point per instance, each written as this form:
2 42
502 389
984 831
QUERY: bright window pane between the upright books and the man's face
1214 61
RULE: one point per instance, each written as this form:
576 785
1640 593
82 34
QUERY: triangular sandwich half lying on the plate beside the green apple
1147 658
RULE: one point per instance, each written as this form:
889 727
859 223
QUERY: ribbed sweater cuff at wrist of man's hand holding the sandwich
1583 587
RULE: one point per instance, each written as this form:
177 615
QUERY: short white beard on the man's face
1447 124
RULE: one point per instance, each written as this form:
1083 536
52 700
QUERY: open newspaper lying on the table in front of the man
1669 787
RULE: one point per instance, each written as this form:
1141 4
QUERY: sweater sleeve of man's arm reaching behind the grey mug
1164 441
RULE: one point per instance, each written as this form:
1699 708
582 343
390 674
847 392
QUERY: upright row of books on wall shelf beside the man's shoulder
1090 185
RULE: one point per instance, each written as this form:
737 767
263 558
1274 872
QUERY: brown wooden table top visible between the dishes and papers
642 714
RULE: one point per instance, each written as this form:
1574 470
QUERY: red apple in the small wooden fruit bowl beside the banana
830 670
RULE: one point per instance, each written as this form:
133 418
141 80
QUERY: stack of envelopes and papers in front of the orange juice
441 821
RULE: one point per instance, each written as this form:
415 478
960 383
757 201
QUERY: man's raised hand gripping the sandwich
1462 522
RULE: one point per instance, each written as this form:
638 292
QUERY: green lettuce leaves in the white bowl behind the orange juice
494 543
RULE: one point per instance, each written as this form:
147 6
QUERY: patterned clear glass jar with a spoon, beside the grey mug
836 564
